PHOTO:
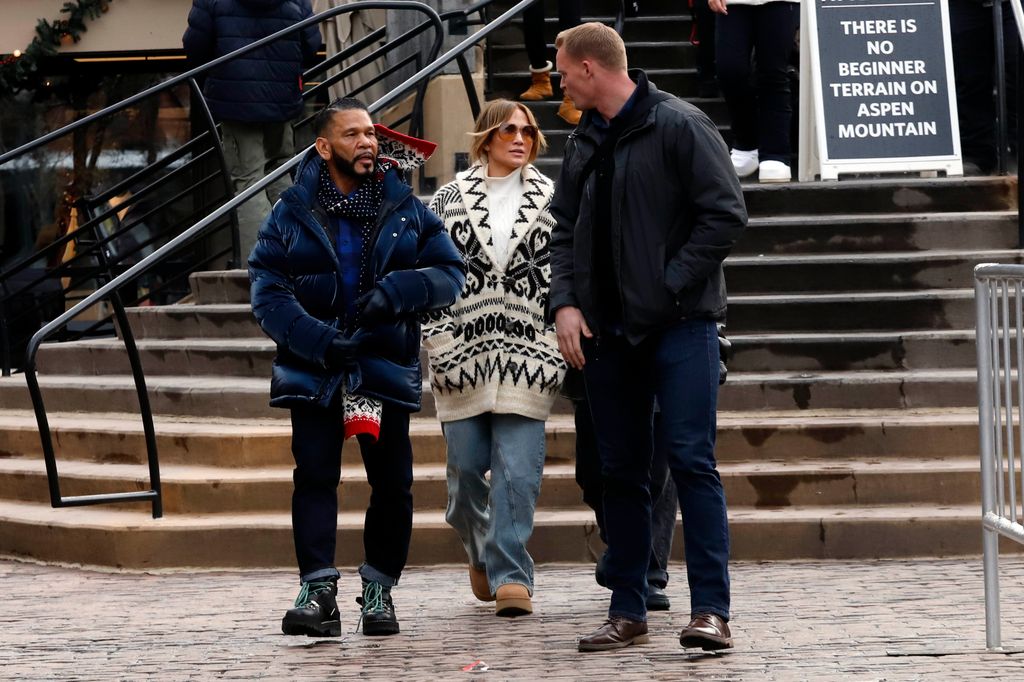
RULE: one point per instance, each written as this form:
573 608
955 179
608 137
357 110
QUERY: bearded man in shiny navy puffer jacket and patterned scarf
344 266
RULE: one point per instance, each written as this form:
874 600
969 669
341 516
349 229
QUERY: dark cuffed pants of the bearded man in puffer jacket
317 441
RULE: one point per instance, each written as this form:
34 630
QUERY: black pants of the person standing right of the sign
974 70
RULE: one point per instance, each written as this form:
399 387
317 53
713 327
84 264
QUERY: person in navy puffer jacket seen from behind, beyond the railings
255 97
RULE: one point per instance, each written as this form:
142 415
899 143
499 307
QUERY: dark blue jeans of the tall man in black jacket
679 367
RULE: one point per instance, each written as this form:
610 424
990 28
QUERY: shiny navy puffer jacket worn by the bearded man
295 279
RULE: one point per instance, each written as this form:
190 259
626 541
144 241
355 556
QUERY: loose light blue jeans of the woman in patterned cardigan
495 521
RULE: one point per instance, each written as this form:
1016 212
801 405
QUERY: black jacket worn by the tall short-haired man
677 209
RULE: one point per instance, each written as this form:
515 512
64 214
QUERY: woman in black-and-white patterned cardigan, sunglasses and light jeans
495 365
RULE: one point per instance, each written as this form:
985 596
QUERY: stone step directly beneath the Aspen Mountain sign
875 196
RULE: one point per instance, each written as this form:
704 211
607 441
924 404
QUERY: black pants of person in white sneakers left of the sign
761 112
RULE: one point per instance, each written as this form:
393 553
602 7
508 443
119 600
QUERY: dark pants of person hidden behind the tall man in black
663 494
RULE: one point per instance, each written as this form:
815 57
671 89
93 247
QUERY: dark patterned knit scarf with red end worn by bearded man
362 414
